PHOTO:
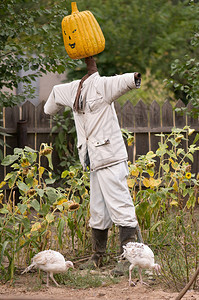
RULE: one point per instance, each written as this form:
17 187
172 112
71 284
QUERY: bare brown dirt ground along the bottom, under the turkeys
26 287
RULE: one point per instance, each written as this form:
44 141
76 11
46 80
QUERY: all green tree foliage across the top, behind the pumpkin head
31 39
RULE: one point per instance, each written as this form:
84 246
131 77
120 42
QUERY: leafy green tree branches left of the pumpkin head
31 39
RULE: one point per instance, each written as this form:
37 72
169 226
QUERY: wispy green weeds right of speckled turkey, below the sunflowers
177 243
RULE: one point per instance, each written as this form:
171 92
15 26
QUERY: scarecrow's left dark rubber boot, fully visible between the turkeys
99 241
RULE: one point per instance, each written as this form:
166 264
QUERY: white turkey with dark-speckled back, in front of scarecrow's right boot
139 255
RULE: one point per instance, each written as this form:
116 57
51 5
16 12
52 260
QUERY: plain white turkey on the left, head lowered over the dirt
51 262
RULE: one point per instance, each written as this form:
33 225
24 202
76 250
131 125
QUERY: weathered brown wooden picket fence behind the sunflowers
144 121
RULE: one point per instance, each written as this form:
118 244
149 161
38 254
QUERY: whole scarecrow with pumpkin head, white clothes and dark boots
100 143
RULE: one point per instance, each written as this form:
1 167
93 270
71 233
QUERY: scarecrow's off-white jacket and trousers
99 137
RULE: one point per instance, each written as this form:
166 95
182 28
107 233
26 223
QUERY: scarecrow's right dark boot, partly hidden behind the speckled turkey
126 234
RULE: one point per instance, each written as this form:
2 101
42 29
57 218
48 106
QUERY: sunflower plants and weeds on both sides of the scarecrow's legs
163 188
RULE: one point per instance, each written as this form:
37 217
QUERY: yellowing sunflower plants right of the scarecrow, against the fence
160 189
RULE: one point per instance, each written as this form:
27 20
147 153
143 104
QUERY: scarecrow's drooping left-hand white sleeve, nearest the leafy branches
59 96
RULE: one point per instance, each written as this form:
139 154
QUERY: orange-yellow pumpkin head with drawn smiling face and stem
82 34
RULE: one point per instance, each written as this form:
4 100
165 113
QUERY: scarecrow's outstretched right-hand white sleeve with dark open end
111 88
